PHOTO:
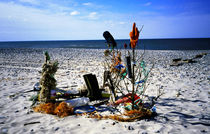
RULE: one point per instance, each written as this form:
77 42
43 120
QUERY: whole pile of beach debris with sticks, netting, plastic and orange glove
124 85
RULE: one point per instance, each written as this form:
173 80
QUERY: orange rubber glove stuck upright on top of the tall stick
134 36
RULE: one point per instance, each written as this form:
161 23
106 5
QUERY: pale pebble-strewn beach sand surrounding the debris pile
188 113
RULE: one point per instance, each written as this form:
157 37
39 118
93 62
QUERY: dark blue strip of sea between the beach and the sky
147 44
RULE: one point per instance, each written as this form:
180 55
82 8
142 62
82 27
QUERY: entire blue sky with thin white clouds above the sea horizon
88 19
